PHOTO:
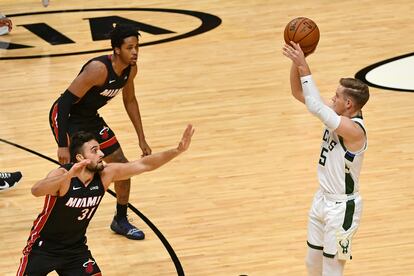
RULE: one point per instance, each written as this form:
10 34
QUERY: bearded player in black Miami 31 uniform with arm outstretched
72 193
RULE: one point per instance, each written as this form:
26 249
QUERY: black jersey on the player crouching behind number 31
99 96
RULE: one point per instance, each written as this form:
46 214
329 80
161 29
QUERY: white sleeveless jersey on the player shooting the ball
339 169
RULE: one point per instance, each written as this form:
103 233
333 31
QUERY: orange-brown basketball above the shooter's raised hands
304 31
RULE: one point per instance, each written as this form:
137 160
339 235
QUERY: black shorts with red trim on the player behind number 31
93 124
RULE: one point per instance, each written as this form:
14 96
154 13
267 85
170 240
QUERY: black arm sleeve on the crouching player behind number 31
64 105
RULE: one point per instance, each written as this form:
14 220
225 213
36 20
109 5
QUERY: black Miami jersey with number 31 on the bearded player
64 220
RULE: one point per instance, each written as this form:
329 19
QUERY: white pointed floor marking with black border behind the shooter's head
391 74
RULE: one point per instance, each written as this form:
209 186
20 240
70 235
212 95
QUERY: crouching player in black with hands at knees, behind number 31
99 80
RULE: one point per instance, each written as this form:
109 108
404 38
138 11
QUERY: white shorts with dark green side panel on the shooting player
330 216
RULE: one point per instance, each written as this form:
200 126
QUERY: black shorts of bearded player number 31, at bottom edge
40 262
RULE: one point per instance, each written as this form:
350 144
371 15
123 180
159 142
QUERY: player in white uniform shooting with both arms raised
336 208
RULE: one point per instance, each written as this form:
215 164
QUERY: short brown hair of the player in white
357 90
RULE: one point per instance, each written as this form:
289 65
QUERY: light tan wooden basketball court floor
236 203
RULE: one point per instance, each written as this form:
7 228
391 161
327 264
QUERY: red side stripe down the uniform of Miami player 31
38 225
